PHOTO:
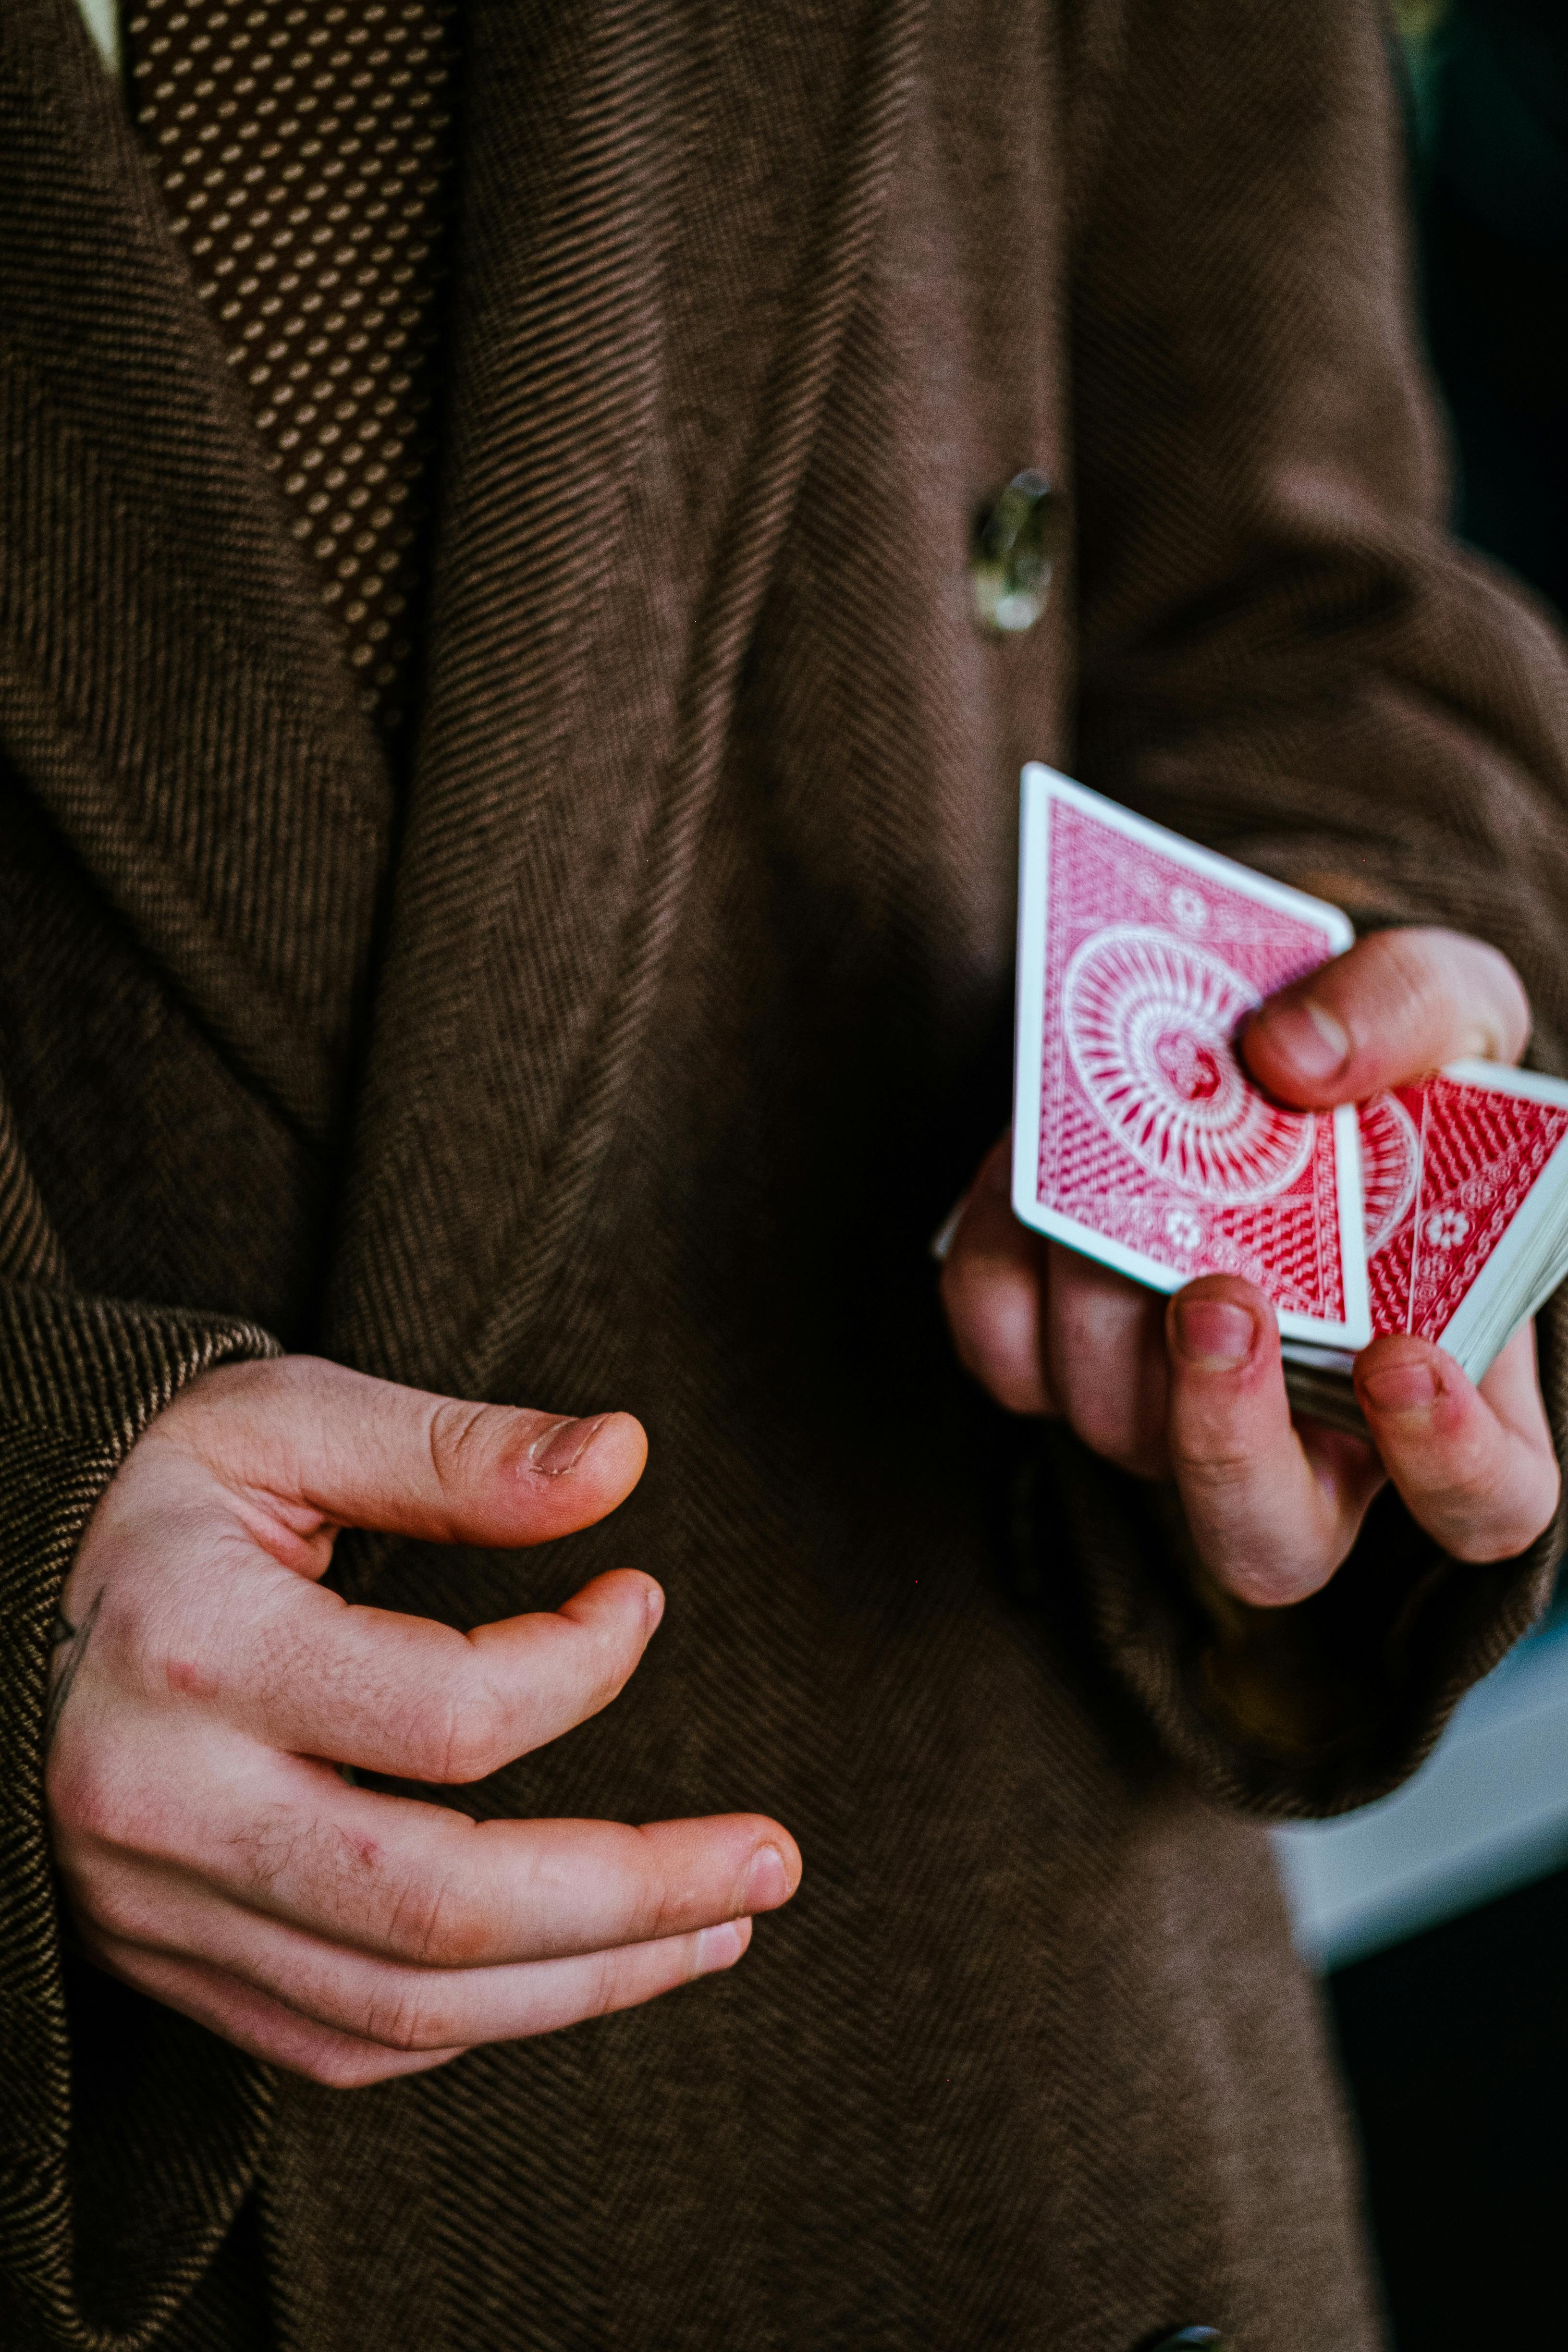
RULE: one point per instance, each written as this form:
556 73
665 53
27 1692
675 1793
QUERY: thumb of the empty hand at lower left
321 1445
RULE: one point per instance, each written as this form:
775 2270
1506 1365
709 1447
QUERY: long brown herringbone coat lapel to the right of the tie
664 227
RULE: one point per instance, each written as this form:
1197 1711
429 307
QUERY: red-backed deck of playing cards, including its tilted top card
1141 1140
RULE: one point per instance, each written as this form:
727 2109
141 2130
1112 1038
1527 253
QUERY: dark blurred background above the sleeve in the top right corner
1487 86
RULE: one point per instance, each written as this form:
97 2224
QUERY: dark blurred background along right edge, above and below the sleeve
1447 1925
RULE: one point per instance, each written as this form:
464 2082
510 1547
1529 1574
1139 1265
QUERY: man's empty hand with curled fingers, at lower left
208 1690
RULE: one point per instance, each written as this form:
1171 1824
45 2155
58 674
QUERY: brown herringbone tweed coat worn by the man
634 1055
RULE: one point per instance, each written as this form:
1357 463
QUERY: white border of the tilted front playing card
1040 787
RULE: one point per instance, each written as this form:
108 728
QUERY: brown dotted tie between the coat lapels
304 152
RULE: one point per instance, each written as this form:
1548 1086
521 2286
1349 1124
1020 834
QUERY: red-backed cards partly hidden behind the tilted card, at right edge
1463 1198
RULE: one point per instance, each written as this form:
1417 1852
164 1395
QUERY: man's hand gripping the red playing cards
1193 1389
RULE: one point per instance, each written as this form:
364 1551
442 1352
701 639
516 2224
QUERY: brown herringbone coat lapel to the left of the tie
168 681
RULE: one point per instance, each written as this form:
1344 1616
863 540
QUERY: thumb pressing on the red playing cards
1391 1010
